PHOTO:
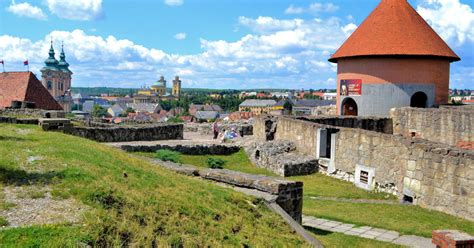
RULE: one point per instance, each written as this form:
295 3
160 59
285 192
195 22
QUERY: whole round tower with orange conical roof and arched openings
393 59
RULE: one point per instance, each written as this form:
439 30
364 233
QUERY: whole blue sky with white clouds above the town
221 44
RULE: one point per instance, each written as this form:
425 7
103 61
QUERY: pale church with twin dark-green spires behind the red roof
56 78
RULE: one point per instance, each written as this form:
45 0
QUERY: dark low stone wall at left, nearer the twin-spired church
125 134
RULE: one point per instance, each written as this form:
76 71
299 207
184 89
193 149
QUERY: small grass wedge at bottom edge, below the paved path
330 239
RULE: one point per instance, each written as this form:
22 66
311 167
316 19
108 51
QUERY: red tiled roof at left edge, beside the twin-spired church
24 86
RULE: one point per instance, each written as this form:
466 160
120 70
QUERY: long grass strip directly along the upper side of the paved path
405 219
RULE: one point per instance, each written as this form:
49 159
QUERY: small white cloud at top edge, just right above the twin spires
83 10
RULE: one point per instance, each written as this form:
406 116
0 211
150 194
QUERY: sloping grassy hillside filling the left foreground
150 206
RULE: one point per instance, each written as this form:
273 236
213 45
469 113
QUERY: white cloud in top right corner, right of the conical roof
453 20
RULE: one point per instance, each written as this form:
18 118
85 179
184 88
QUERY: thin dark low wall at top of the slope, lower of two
189 149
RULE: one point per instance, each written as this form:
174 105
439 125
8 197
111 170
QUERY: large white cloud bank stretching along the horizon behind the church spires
293 55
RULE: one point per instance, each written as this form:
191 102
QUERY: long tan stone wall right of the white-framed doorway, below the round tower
434 175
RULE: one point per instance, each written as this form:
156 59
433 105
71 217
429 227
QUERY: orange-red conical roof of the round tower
394 28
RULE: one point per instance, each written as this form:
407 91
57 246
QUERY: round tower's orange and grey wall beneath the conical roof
391 82
